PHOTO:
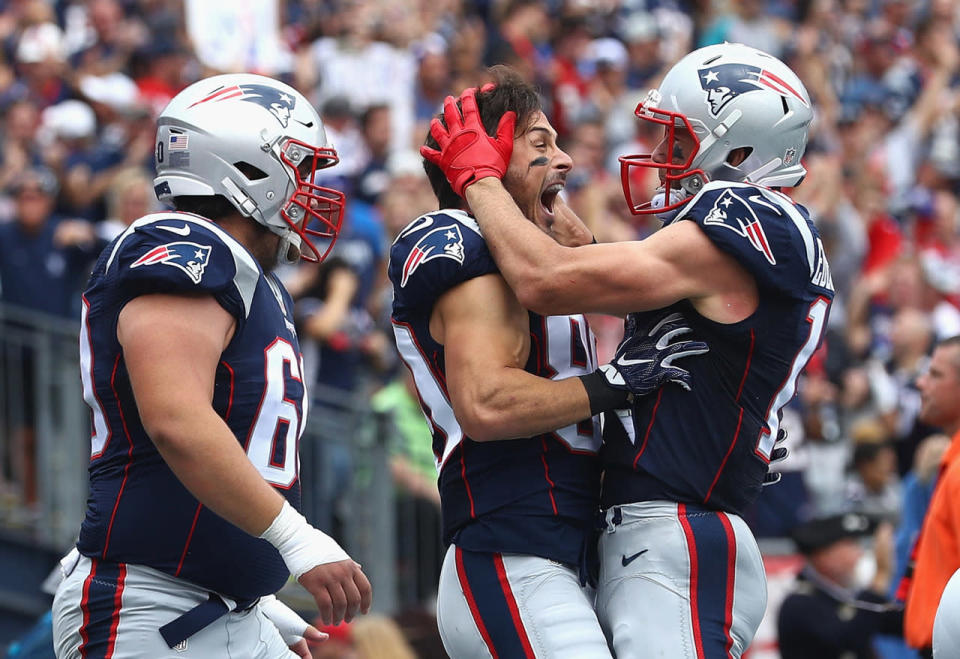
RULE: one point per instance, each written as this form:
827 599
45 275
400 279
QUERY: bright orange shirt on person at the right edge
938 553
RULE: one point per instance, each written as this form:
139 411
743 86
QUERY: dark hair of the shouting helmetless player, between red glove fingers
511 92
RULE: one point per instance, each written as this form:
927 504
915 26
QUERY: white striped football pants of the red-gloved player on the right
679 582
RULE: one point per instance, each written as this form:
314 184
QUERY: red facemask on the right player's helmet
674 173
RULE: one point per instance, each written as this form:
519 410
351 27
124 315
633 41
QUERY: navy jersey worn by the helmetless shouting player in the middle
534 496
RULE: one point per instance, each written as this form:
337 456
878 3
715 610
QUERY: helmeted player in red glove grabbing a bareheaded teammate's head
681 574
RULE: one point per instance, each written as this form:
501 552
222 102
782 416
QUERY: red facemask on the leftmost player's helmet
312 211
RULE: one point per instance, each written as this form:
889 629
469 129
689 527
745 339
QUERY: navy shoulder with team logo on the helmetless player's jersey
436 252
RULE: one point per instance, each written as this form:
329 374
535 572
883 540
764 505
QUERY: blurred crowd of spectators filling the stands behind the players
82 80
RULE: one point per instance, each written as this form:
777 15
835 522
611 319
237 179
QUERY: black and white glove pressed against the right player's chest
644 362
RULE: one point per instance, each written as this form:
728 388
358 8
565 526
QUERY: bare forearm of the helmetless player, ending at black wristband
520 405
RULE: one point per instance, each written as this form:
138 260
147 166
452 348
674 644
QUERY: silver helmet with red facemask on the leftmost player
258 143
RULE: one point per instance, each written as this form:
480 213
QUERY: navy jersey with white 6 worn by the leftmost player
138 511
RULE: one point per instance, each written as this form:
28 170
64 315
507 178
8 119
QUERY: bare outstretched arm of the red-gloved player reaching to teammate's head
678 262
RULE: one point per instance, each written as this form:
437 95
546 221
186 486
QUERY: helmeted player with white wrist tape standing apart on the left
193 374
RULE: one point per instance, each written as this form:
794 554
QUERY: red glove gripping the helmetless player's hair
467 154
